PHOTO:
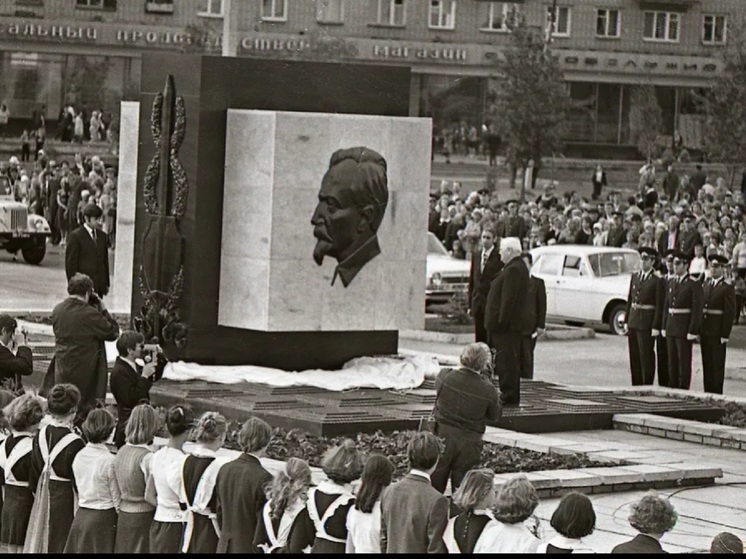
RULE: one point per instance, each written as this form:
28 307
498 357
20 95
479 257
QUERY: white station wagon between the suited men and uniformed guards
586 284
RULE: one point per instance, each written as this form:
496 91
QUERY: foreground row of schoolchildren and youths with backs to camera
65 491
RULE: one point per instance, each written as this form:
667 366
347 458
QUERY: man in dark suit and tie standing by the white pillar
87 251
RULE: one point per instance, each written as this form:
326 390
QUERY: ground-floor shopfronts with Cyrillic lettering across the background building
95 65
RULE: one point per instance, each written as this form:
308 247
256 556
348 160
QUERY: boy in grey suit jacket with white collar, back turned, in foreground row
414 515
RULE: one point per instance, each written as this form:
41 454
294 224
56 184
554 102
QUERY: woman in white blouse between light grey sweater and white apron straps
164 484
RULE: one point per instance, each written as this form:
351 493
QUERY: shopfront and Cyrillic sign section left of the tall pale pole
45 67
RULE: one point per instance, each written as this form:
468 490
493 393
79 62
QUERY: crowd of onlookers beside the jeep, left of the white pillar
60 190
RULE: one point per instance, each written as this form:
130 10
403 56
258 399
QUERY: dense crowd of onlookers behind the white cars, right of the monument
698 214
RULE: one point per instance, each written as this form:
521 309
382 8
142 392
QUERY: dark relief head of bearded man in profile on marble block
351 205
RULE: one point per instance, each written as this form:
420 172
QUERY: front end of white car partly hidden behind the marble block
446 275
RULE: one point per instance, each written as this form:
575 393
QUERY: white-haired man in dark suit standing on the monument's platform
505 316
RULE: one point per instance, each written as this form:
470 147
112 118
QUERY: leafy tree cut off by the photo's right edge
724 103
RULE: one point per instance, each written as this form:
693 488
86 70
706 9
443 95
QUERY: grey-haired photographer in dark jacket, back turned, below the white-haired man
464 401
